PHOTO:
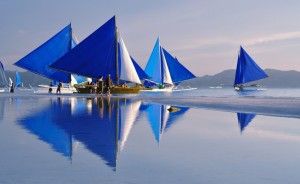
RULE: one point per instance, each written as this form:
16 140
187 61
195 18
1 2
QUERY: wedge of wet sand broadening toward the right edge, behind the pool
284 107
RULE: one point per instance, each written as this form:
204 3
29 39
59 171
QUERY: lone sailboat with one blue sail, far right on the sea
247 71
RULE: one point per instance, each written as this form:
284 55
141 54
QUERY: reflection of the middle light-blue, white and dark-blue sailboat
161 119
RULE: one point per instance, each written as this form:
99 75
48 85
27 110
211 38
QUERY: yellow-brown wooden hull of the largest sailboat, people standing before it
90 89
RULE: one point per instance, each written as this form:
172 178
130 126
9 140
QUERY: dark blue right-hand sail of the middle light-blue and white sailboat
177 70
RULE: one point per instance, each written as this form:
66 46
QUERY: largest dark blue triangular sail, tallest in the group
94 56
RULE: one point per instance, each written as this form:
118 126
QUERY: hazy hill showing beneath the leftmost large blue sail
27 78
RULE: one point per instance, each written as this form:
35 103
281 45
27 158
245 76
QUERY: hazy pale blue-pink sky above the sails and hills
204 35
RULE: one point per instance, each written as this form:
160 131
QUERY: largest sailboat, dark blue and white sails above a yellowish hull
102 53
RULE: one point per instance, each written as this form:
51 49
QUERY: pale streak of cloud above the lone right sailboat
274 37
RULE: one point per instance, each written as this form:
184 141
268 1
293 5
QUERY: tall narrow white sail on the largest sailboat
128 72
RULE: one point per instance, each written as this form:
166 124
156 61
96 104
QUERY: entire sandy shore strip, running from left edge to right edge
281 106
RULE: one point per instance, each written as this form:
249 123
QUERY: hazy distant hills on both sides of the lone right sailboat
277 78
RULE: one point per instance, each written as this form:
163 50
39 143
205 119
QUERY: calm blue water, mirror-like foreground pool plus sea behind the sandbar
78 139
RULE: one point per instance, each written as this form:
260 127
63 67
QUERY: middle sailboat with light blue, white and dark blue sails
164 70
